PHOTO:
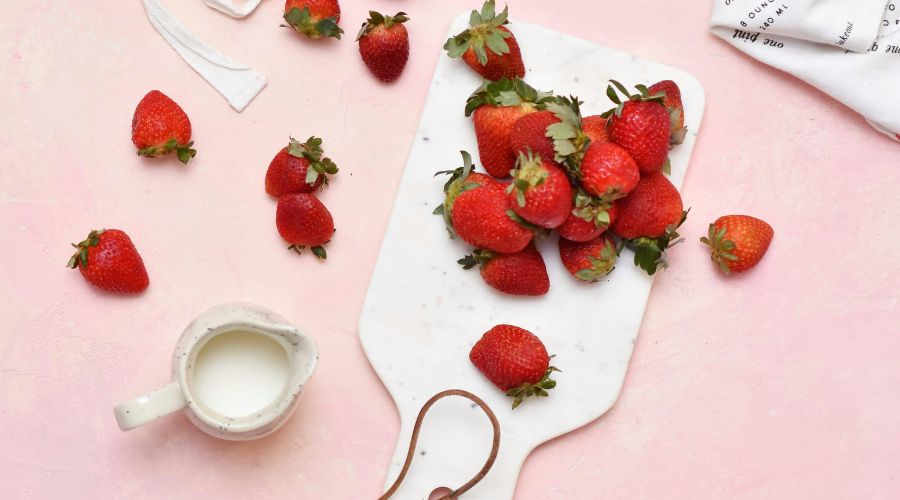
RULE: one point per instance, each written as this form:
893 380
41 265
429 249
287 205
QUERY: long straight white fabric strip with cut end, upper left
238 83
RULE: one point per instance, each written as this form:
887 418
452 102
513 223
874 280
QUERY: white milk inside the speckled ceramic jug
239 373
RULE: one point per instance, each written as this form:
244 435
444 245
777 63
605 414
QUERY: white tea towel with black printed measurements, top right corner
849 49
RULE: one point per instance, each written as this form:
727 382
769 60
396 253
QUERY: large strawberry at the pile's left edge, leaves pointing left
479 213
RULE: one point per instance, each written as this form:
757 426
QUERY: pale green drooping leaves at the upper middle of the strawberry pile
569 140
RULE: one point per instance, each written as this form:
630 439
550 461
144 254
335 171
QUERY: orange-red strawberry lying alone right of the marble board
738 242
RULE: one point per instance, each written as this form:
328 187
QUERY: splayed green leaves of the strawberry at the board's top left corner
484 34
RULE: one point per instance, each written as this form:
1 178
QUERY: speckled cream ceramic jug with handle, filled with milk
237 372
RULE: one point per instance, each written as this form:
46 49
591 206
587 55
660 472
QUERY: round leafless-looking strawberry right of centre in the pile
608 171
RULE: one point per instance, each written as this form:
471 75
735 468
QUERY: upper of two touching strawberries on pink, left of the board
299 168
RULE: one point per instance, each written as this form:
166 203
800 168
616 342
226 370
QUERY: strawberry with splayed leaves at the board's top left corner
487 46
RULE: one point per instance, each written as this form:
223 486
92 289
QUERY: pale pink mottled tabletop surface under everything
781 383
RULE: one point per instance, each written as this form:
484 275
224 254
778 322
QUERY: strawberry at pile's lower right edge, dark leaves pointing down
649 217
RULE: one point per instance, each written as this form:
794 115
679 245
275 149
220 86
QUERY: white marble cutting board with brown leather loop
423 312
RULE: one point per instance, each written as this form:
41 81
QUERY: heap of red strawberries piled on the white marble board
599 181
